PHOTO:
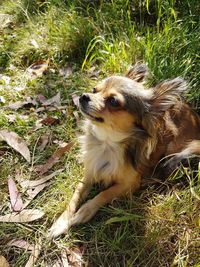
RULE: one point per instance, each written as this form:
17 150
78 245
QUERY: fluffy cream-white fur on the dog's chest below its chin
103 153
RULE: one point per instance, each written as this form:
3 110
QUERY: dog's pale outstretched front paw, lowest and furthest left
60 226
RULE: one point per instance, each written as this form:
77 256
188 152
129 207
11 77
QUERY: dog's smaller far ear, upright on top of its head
138 73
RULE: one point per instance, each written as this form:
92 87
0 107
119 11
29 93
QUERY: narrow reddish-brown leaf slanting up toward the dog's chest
53 159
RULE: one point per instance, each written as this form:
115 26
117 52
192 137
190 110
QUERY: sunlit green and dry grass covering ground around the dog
159 226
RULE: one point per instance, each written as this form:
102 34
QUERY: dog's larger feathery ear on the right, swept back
168 93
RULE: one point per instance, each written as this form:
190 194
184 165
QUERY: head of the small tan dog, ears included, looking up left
122 102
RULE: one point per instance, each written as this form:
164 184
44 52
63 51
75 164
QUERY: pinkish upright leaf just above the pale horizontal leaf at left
15 196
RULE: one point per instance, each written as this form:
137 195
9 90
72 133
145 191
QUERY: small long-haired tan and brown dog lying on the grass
128 131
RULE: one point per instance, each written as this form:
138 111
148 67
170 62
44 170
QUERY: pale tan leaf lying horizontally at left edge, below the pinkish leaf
26 215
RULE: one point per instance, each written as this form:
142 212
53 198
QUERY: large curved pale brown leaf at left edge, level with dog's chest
16 142
